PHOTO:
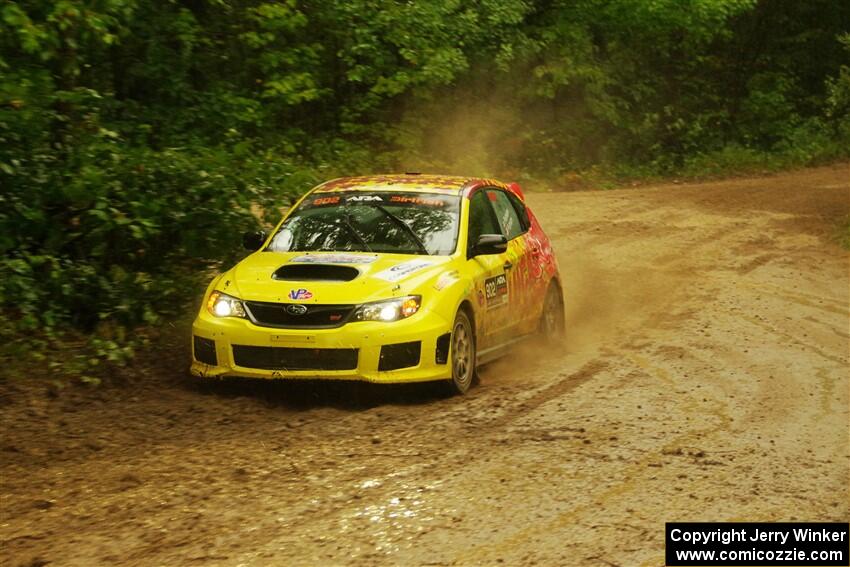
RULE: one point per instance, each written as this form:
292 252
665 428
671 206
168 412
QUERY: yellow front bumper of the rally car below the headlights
357 349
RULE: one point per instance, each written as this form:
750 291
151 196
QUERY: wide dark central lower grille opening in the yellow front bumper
285 358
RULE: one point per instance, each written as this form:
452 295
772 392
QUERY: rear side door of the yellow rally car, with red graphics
516 262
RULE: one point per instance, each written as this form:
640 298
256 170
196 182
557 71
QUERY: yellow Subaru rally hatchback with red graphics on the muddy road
395 278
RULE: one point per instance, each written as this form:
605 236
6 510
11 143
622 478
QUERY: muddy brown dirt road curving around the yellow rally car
704 377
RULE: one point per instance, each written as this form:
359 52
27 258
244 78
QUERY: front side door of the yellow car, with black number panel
492 290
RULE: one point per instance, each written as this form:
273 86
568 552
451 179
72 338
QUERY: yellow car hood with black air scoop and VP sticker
302 277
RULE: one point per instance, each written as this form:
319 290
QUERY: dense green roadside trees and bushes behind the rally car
136 137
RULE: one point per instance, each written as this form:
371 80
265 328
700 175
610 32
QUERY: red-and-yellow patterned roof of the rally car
413 182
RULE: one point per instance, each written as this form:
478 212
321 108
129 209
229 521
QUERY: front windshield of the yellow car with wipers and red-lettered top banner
401 223
